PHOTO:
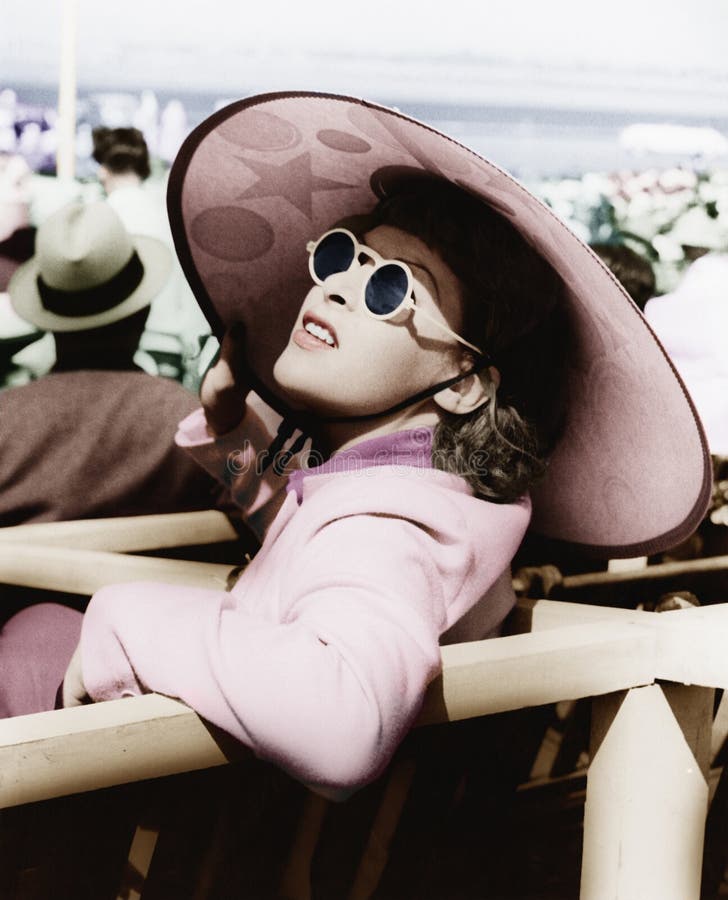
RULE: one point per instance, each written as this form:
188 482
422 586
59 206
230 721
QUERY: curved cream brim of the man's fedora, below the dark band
156 259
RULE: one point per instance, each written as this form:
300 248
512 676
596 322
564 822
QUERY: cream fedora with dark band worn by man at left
88 271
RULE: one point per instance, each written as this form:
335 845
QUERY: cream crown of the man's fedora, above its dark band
82 246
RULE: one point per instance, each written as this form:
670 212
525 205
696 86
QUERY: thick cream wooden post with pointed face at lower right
647 794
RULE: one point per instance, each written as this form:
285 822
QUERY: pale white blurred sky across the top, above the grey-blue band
221 44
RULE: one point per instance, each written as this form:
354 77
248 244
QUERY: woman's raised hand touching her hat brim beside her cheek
226 384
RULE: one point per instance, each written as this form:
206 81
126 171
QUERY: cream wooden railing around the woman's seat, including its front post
651 676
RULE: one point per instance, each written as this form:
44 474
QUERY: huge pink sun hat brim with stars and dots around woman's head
261 177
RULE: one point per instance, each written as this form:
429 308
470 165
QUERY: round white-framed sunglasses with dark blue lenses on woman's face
387 290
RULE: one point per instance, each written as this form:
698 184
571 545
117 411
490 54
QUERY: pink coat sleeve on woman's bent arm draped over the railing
326 691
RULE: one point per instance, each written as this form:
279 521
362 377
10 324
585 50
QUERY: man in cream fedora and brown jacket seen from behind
94 437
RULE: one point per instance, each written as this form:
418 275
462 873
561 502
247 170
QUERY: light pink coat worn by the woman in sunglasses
319 657
